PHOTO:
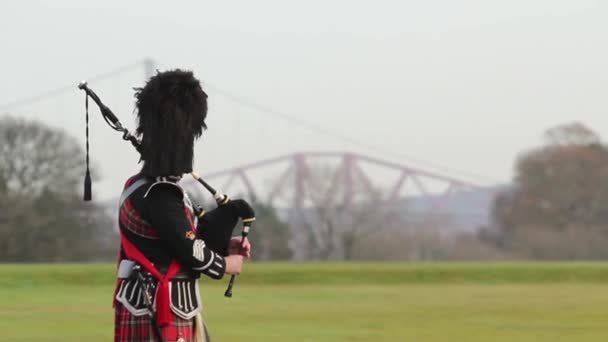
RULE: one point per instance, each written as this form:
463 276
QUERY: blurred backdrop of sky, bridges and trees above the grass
371 130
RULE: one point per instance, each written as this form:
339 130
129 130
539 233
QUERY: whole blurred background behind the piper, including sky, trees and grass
421 170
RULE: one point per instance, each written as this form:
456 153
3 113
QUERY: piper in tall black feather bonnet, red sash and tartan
166 243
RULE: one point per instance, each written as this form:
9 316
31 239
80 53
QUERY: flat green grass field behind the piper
334 302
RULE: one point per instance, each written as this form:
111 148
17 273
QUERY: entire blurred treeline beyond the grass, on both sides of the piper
555 208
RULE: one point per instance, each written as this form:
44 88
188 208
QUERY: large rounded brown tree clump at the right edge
557 207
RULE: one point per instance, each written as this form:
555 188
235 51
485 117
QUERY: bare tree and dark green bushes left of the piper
42 218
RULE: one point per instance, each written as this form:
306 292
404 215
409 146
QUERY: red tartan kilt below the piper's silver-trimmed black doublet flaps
129 328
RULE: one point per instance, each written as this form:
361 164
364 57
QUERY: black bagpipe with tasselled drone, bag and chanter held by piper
226 215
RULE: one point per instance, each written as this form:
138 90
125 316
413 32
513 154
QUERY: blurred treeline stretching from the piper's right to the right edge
555 208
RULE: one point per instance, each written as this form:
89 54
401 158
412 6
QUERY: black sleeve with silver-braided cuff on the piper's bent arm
167 213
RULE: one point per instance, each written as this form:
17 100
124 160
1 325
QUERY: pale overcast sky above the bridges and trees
465 85
